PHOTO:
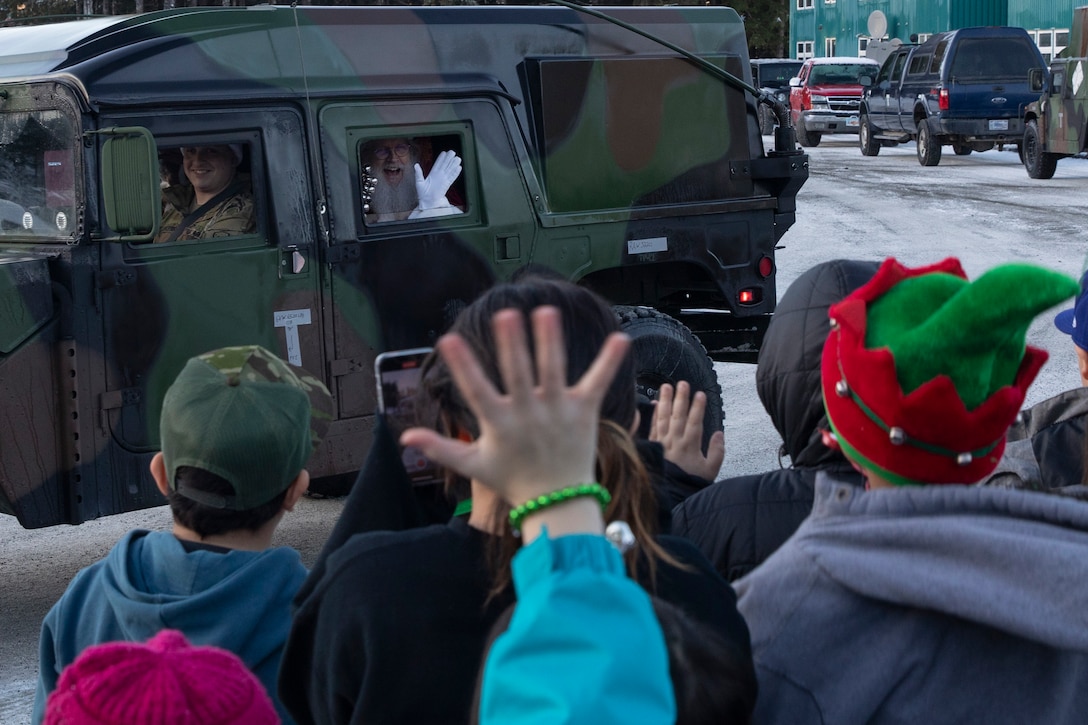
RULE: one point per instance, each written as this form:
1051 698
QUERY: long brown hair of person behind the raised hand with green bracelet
587 322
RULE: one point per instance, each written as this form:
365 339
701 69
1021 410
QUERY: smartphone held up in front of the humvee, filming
399 378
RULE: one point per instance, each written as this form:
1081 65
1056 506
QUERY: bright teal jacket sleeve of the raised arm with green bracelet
584 645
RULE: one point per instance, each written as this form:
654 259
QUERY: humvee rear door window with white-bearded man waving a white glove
388 178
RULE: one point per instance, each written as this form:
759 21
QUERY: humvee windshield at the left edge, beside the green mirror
38 176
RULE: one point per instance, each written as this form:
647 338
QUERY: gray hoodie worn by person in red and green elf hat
928 605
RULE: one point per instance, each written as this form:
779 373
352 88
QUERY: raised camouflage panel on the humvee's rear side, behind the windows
608 152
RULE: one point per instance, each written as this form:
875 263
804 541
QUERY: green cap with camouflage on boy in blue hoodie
249 417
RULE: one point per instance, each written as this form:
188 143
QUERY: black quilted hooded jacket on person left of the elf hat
738 523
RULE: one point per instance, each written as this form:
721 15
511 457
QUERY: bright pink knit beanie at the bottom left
166 682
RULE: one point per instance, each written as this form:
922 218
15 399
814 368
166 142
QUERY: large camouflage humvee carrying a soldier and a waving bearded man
619 150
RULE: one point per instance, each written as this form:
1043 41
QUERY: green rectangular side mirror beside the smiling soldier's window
131 190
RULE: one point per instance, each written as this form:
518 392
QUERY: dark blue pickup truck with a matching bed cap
965 89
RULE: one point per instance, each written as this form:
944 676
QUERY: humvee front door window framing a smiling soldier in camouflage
207 192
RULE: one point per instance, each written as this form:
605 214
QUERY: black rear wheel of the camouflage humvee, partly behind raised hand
666 352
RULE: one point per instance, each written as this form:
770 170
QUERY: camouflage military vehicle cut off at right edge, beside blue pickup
1056 126
